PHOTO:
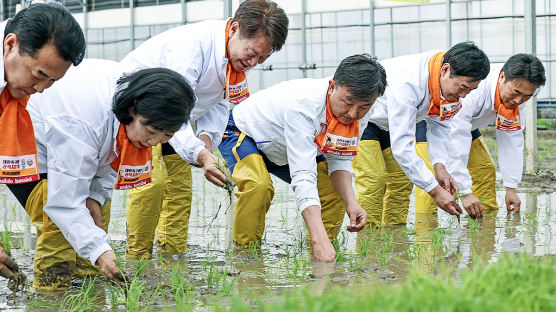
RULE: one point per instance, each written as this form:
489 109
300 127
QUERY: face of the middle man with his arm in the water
344 106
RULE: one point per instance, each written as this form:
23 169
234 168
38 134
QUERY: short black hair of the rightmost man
525 66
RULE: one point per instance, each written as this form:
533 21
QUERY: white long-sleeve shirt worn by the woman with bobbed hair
75 132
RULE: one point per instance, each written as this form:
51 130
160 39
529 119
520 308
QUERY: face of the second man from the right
455 87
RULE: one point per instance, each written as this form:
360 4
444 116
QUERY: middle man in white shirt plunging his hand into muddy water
305 132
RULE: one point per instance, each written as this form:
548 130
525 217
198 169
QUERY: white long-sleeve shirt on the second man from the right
404 103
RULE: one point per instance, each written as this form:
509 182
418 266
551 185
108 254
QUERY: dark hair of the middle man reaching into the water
363 75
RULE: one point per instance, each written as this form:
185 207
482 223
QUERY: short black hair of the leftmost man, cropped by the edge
44 23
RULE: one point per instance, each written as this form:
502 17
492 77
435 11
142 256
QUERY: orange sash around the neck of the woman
133 165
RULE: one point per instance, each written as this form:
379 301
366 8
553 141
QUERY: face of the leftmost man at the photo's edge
26 75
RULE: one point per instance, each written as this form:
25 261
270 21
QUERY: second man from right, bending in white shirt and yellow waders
425 86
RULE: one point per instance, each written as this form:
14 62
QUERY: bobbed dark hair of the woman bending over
159 95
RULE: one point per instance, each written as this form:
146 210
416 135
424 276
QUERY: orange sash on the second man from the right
439 107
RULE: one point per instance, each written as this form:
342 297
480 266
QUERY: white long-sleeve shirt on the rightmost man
478 112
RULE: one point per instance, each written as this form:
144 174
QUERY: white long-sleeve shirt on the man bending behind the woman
197 52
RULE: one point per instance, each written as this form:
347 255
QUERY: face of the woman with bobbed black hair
142 136
